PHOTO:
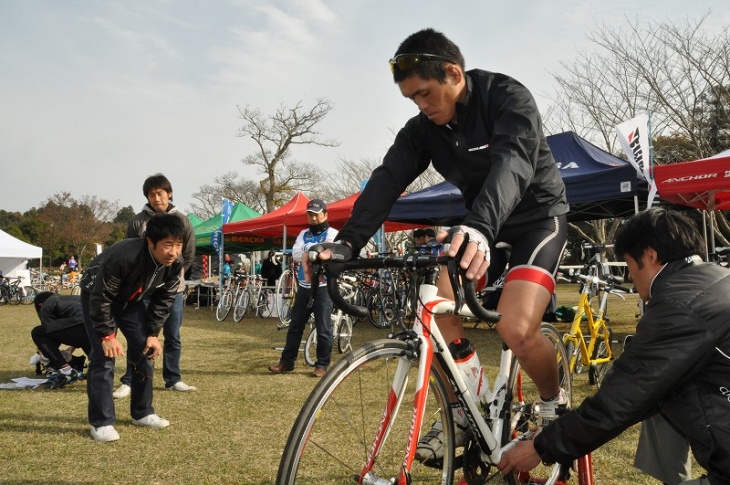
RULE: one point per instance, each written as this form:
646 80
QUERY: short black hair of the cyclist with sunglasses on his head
428 41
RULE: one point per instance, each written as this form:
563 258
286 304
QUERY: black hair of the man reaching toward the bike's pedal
671 234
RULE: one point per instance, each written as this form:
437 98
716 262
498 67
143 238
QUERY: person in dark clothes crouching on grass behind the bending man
62 323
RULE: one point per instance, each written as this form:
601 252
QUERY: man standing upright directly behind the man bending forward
158 191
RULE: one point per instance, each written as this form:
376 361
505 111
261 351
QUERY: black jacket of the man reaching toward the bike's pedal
678 364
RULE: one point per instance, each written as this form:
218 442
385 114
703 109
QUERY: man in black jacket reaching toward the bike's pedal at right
678 363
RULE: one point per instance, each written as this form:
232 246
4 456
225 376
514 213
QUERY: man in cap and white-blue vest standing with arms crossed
318 232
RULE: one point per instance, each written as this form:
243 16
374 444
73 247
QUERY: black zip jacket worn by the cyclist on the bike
496 155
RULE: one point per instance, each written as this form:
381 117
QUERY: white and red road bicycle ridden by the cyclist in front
362 421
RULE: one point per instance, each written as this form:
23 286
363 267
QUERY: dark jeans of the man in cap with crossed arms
322 309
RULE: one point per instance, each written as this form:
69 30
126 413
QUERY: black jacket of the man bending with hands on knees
127 272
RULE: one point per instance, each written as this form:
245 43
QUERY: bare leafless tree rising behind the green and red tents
274 135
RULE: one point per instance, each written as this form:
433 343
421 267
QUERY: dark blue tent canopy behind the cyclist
598 184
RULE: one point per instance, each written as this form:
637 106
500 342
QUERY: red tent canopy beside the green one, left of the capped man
291 215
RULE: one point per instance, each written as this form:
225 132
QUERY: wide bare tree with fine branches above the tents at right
679 73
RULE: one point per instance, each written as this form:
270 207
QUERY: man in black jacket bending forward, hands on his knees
113 291
